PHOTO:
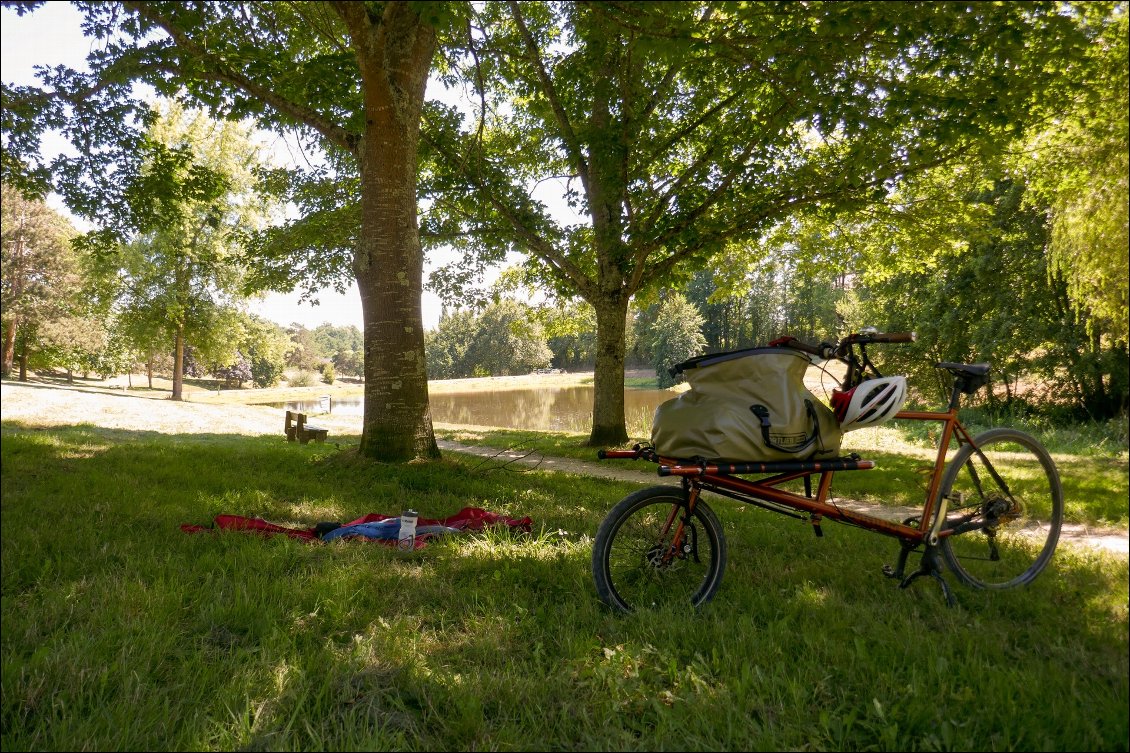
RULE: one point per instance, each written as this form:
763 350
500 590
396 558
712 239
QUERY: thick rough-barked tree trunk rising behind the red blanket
389 262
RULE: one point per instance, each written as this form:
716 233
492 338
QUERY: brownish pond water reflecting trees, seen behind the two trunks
543 409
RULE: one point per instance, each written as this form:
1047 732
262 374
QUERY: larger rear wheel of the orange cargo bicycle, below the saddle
1005 510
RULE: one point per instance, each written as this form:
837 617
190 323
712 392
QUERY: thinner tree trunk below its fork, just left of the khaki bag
609 427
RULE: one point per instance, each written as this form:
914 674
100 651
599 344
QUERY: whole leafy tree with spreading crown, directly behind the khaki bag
681 129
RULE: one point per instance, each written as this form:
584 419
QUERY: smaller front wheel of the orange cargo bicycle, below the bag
655 551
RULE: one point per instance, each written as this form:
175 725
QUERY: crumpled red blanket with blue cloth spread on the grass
373 527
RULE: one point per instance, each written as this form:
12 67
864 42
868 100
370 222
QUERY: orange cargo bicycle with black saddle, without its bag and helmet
993 514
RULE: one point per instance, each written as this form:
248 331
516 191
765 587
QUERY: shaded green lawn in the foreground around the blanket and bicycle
121 633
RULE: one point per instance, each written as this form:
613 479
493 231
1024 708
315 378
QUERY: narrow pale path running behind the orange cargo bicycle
1111 541
